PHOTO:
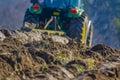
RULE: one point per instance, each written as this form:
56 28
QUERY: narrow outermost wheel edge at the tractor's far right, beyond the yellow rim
90 36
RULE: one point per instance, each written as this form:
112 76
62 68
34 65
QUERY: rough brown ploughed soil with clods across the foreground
36 56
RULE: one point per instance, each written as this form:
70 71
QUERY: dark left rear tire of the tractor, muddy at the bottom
30 21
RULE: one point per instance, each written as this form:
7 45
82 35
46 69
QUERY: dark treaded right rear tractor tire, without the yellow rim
76 28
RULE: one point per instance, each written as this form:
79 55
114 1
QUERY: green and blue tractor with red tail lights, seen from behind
59 16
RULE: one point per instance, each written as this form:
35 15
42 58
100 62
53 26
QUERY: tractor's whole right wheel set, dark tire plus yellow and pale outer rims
78 30
